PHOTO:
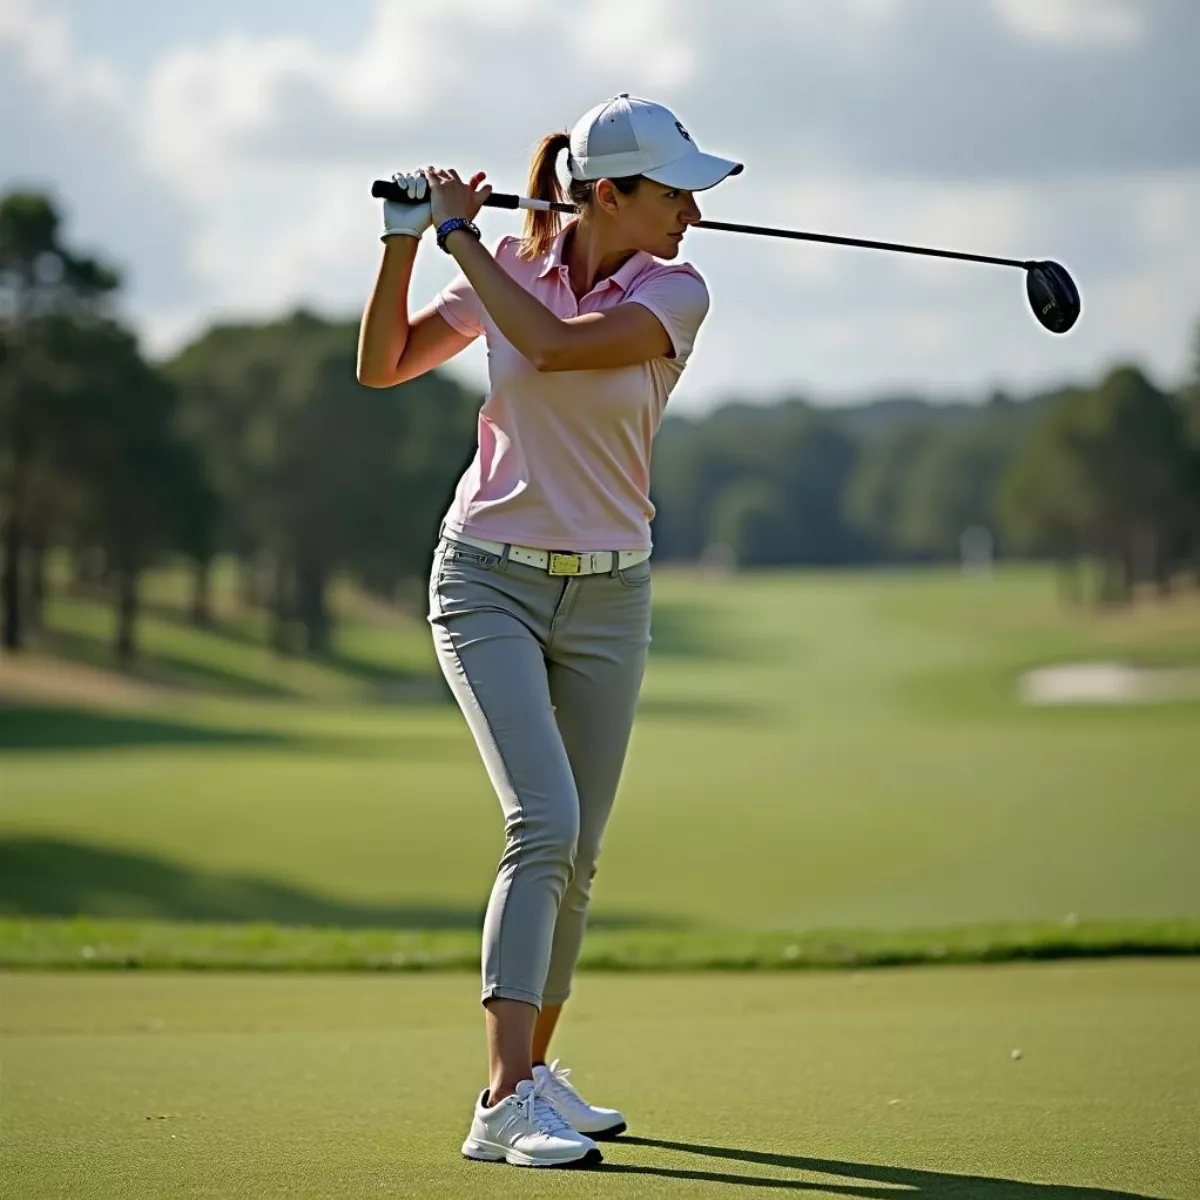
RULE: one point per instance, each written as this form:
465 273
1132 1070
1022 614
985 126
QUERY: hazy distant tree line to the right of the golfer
1107 475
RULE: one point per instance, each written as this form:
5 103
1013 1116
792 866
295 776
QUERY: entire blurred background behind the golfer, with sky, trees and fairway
927 635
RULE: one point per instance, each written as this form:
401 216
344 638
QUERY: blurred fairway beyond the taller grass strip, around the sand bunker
815 752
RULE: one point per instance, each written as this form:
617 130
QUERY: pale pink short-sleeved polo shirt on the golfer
565 457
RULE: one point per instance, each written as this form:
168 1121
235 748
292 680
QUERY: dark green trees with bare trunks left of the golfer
255 441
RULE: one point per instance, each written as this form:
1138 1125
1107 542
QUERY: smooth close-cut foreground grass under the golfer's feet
848 1084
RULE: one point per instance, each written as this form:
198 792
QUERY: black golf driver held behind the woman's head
1053 295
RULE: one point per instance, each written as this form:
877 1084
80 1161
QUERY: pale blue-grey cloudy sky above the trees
221 157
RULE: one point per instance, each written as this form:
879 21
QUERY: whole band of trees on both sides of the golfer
256 441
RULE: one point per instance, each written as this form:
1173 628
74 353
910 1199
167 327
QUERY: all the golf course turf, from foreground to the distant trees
267 878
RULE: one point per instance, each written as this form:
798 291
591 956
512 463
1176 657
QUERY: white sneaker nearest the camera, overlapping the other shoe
525 1131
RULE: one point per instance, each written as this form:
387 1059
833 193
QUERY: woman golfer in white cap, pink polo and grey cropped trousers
541 589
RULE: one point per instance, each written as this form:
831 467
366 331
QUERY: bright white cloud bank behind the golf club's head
838 315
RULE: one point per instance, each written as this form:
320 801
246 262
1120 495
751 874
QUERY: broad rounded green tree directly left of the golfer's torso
315 471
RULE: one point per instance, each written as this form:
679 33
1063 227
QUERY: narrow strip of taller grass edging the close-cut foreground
98 945
